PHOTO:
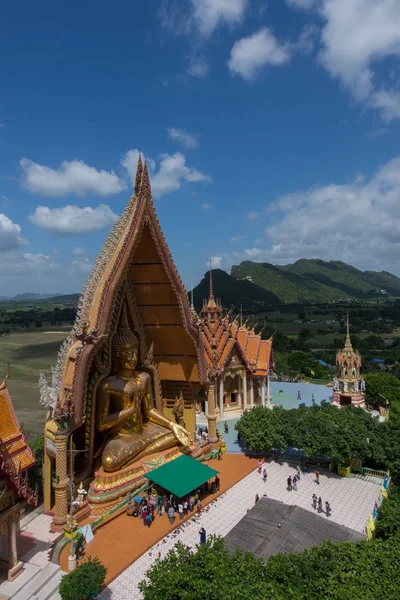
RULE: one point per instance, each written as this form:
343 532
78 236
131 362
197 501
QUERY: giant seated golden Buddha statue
126 410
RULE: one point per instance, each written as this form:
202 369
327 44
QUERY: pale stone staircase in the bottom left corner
34 583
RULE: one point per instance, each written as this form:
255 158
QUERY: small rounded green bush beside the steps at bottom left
84 582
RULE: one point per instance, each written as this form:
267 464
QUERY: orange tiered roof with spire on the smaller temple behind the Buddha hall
222 337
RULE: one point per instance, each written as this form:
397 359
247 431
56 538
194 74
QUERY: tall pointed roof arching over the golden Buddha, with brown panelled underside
135 253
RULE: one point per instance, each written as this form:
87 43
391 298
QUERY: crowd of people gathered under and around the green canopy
168 504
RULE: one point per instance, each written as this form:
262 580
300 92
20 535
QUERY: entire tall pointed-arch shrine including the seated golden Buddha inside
133 349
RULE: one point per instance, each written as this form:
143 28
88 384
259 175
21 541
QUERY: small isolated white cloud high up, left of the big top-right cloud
251 54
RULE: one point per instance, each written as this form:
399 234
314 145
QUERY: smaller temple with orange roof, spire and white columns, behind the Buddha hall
237 360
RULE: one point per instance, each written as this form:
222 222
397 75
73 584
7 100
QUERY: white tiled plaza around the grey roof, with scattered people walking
352 500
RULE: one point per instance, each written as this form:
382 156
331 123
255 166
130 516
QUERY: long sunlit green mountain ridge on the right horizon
317 280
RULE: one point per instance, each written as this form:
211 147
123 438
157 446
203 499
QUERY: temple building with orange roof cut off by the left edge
15 460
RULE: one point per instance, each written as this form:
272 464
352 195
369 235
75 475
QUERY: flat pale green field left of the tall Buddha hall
29 354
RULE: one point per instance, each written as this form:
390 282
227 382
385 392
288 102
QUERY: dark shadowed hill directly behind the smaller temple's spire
232 292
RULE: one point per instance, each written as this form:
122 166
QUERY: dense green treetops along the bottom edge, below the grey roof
335 571
